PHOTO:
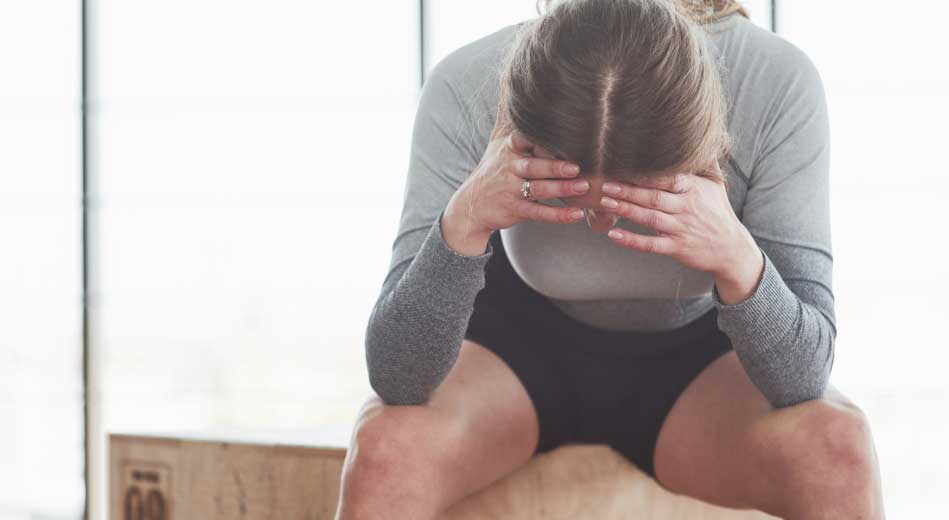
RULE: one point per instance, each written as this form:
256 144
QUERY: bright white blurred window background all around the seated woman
224 143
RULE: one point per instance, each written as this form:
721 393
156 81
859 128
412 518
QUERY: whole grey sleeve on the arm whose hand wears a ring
419 320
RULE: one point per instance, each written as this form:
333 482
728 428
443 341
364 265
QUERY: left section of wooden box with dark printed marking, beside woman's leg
178 478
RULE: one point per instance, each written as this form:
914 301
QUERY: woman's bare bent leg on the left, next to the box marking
416 461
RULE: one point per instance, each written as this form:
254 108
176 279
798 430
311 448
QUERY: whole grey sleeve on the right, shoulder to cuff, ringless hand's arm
784 333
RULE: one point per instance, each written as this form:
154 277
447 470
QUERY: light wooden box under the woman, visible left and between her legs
194 478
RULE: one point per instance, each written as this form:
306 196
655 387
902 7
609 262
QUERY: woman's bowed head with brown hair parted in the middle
625 88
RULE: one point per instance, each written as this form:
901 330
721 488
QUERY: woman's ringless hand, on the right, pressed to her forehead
695 224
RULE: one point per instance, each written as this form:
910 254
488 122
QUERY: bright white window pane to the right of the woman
888 97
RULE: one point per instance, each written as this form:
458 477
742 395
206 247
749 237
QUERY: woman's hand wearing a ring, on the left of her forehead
490 198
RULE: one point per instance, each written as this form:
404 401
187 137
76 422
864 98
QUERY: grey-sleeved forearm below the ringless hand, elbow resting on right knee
786 345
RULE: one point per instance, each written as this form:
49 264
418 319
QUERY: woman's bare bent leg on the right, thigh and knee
723 443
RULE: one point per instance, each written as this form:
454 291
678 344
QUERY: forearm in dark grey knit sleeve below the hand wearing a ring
418 323
